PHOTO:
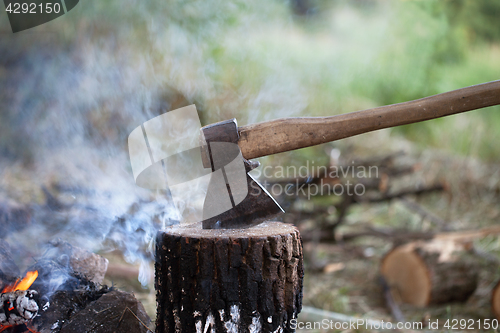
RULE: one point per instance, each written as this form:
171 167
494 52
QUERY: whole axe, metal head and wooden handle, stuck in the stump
280 135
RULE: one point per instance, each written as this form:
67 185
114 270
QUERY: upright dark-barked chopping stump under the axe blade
228 280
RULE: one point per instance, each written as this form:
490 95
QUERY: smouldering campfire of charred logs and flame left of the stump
63 291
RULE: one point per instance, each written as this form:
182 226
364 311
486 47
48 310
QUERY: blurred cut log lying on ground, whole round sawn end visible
435 272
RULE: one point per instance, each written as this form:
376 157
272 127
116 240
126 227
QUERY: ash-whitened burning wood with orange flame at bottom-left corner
18 305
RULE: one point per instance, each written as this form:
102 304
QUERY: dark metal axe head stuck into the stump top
242 199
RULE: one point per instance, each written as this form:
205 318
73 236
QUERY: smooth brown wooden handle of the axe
280 135
